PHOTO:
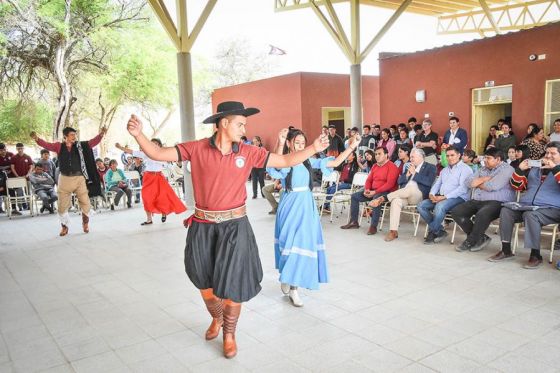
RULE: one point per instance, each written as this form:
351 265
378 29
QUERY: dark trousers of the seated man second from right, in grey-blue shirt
484 213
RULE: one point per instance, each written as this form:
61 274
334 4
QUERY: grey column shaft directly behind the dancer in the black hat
187 116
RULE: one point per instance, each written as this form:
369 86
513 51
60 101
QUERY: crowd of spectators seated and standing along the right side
516 179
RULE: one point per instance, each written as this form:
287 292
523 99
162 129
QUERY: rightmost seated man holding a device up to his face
538 206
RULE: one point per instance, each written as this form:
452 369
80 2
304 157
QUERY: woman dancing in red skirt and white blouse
157 195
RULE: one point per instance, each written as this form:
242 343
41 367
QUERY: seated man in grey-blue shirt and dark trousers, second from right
491 188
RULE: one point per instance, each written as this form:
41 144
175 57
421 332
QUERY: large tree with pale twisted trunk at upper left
47 45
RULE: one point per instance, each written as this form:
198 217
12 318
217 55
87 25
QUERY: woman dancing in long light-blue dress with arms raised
299 248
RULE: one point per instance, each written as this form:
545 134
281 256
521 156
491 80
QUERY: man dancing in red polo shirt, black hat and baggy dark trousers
221 253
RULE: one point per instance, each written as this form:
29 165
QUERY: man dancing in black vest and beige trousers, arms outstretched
78 173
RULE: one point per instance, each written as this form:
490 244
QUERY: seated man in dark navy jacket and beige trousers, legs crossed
414 185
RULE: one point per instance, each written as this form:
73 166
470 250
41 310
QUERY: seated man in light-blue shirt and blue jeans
449 190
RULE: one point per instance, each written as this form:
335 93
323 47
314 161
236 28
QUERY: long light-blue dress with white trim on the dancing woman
298 237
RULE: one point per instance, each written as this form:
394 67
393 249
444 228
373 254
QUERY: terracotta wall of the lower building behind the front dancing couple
297 99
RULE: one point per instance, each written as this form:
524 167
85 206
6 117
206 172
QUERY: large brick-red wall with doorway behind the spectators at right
449 74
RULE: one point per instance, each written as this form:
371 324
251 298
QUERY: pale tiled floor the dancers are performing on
118 300
